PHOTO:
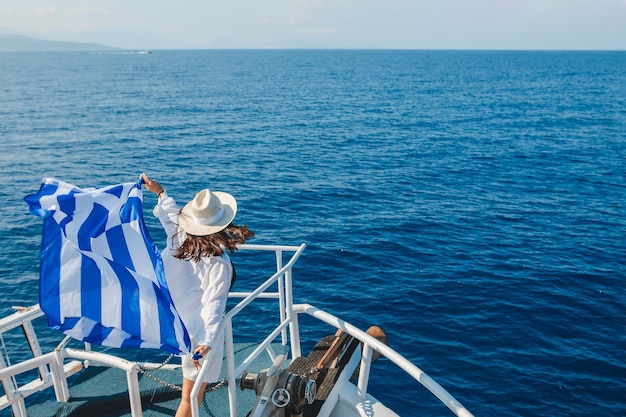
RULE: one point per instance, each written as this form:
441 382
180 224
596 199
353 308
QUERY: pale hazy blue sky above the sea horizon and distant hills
390 24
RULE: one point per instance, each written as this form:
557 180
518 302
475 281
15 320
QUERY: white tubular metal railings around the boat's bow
54 372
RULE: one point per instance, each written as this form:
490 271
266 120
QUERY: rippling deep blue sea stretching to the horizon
471 203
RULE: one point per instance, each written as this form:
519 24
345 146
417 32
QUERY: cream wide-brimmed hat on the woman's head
208 213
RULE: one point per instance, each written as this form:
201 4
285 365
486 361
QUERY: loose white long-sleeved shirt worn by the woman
199 290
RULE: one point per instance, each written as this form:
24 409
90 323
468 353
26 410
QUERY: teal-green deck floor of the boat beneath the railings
157 399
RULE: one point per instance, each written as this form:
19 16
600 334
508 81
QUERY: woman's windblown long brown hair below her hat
195 247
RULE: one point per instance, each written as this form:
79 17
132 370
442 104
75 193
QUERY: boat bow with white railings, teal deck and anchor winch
259 379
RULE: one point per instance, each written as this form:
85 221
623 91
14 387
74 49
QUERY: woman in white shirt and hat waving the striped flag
198 272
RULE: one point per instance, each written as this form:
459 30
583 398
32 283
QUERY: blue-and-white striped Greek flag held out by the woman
101 276
